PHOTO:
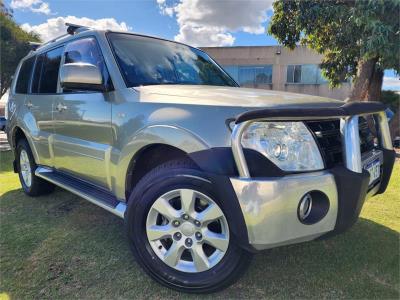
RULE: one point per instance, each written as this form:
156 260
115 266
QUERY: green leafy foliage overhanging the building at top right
344 31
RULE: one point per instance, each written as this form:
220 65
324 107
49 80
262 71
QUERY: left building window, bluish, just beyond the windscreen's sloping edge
251 75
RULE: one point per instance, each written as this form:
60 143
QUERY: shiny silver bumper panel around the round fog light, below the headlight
269 207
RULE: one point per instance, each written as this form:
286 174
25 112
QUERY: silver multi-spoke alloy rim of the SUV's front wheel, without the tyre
187 230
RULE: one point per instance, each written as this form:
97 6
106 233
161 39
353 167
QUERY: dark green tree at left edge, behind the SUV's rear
14 45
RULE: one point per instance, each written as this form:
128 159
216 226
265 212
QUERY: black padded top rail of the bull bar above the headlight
348 109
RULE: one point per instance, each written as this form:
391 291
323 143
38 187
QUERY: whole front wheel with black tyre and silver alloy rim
179 233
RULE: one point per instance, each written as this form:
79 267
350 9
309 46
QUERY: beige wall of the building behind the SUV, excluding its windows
279 58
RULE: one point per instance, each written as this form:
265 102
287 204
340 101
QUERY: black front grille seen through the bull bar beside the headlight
327 134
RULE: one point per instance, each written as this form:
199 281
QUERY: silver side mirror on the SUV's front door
81 76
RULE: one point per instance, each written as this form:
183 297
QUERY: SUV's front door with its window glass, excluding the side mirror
82 122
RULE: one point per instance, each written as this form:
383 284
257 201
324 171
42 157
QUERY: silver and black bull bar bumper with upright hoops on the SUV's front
270 205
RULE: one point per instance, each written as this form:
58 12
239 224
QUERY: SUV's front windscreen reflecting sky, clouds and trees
151 61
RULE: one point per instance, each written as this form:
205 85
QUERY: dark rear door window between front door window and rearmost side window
45 77
